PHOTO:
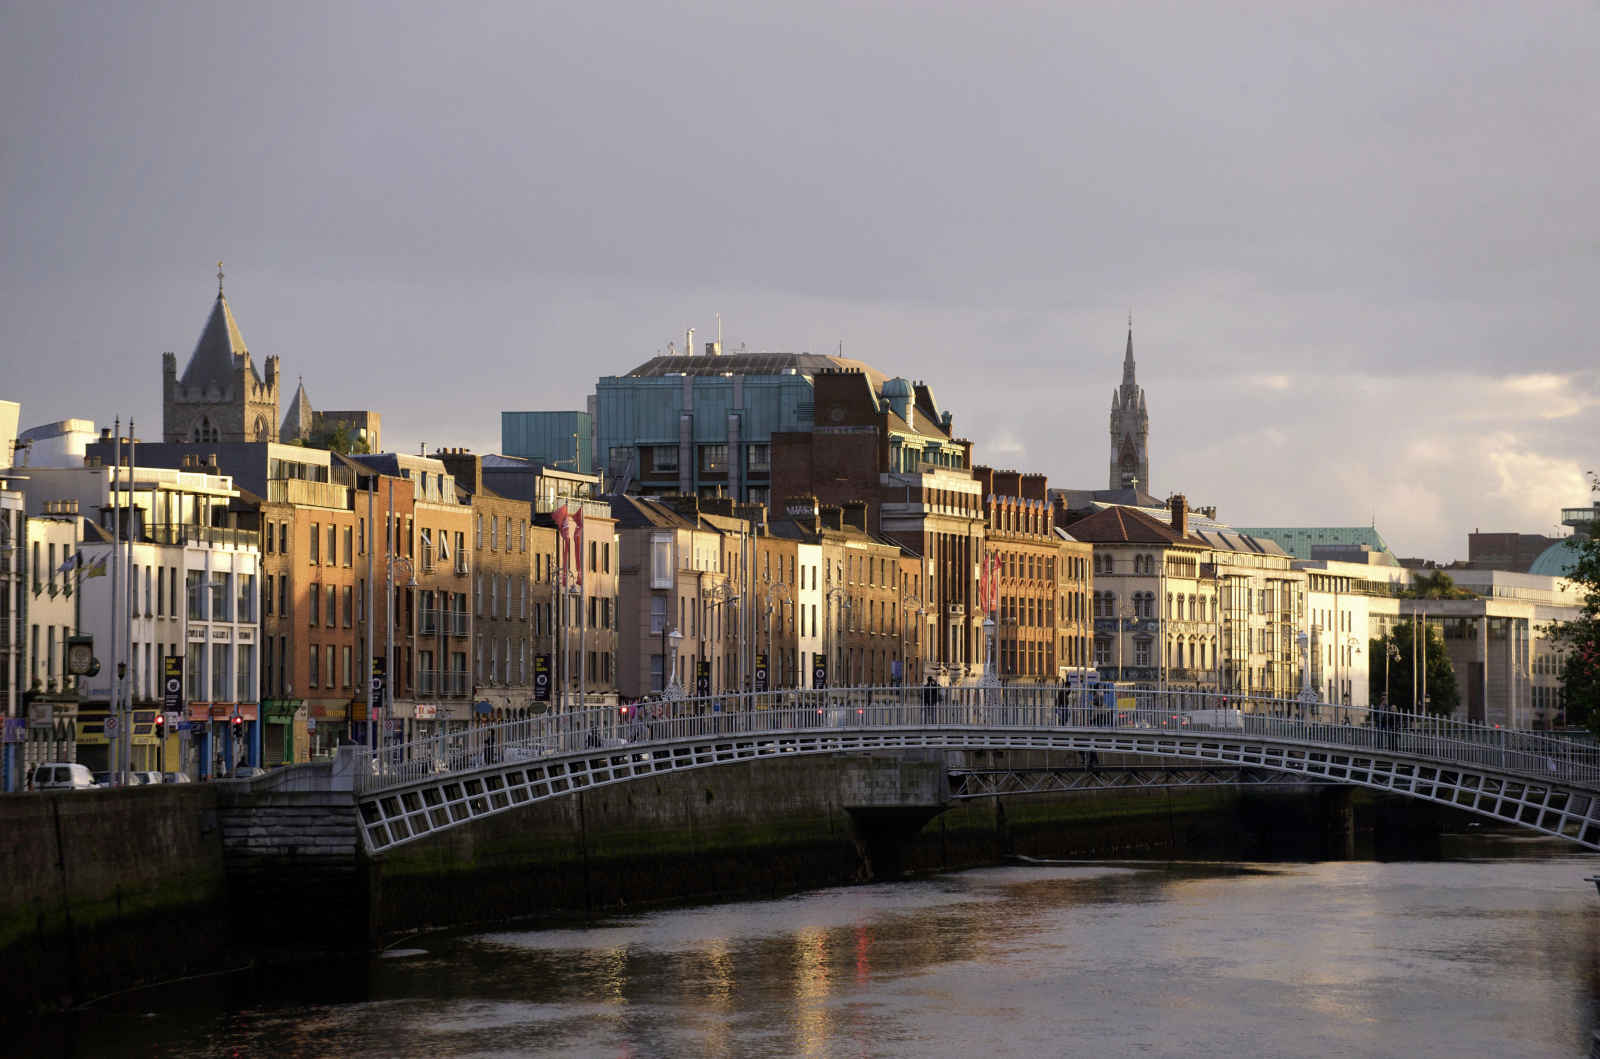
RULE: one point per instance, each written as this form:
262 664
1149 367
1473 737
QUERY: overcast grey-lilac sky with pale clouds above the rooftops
1358 241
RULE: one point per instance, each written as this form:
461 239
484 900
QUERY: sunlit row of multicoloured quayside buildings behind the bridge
263 589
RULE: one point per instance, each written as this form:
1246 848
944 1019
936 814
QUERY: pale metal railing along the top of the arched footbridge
636 729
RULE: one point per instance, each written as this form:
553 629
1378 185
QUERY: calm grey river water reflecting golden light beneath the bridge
1494 953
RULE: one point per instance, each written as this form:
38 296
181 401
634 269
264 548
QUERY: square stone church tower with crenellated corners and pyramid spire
222 398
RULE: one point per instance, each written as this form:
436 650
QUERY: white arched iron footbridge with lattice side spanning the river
1532 780
